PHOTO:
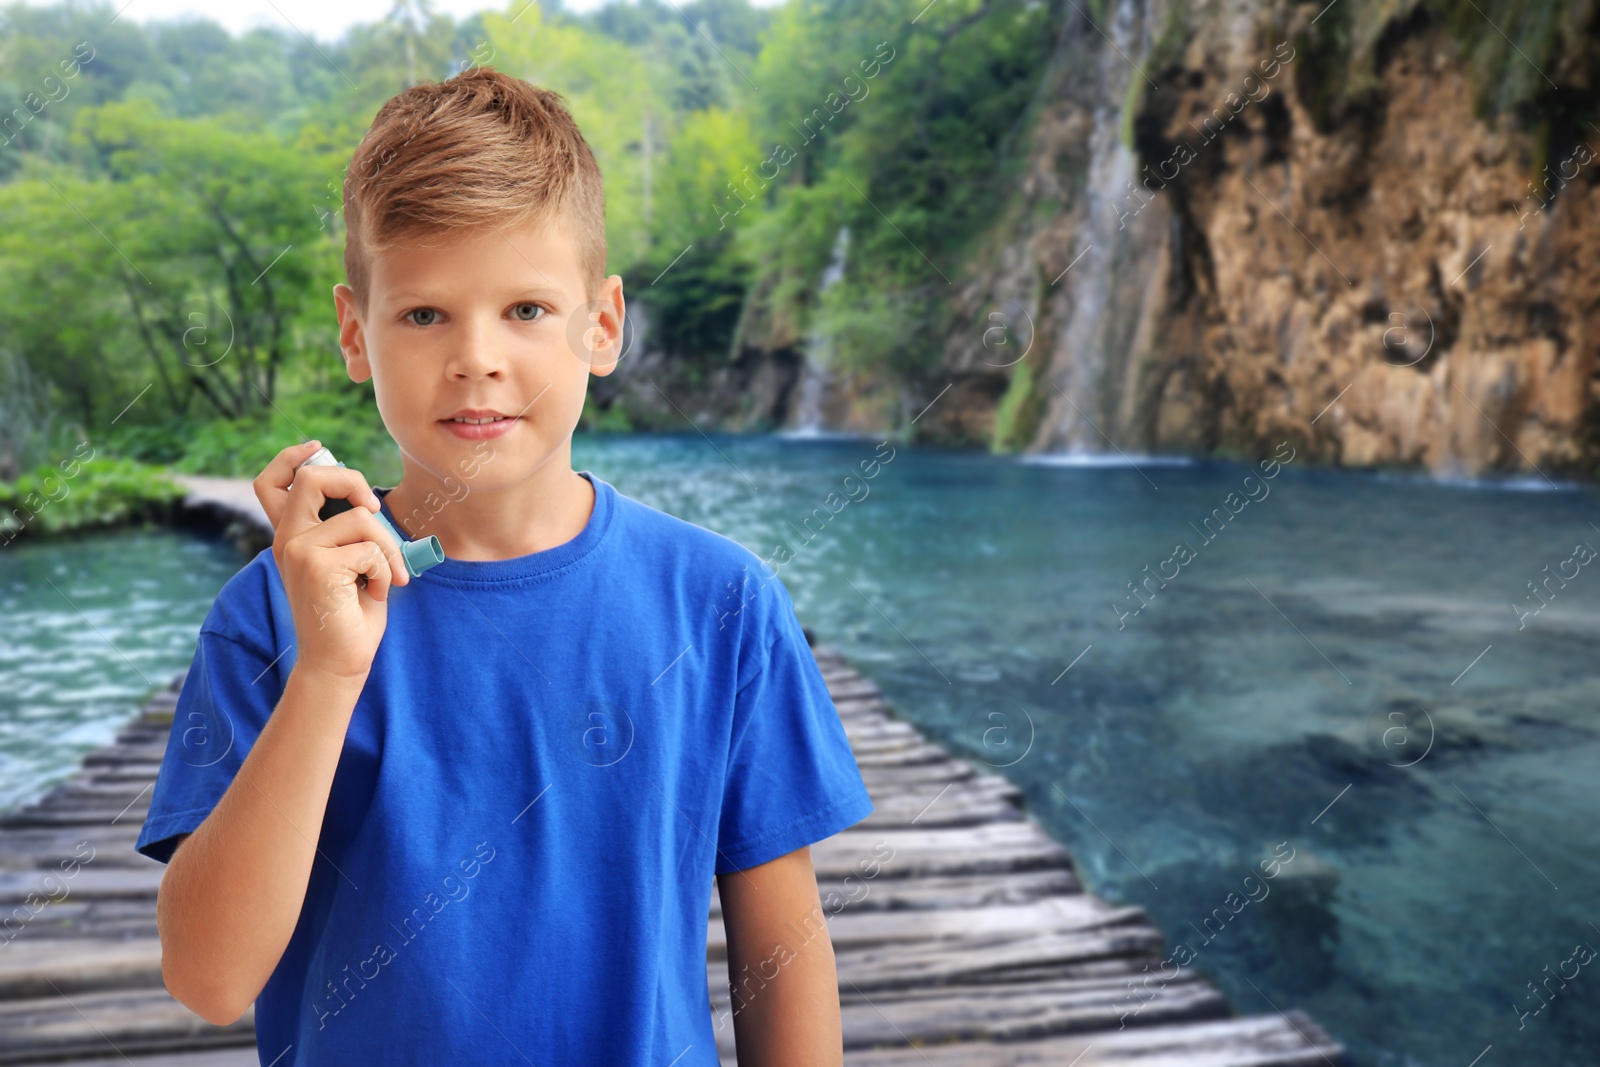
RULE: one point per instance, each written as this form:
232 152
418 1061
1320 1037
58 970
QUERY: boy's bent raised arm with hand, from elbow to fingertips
233 895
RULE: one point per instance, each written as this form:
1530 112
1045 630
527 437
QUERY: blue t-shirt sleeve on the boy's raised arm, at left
228 695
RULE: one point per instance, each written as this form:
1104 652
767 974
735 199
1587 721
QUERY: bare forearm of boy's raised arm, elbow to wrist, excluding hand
233 893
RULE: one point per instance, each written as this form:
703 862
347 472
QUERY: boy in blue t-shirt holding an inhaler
474 815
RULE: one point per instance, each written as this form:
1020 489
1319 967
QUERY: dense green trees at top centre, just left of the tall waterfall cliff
916 167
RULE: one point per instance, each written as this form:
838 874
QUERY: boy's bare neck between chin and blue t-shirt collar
548 510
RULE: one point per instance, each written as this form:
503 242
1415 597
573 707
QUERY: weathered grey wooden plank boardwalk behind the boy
970 945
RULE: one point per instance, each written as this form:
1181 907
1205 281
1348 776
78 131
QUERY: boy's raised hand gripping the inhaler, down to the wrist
330 567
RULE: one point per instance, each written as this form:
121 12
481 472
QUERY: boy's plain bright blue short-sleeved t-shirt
550 762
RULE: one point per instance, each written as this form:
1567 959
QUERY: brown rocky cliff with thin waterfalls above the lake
1369 228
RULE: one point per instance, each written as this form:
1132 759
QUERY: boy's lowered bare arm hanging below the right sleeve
774 919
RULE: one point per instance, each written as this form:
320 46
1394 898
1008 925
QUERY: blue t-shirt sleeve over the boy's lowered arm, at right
793 778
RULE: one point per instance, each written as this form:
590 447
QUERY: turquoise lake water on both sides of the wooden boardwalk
1338 674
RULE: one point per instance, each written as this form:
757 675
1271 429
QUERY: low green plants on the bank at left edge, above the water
76 495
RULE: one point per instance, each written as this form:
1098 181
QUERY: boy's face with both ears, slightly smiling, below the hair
492 322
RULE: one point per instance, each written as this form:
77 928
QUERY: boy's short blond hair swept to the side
476 151
